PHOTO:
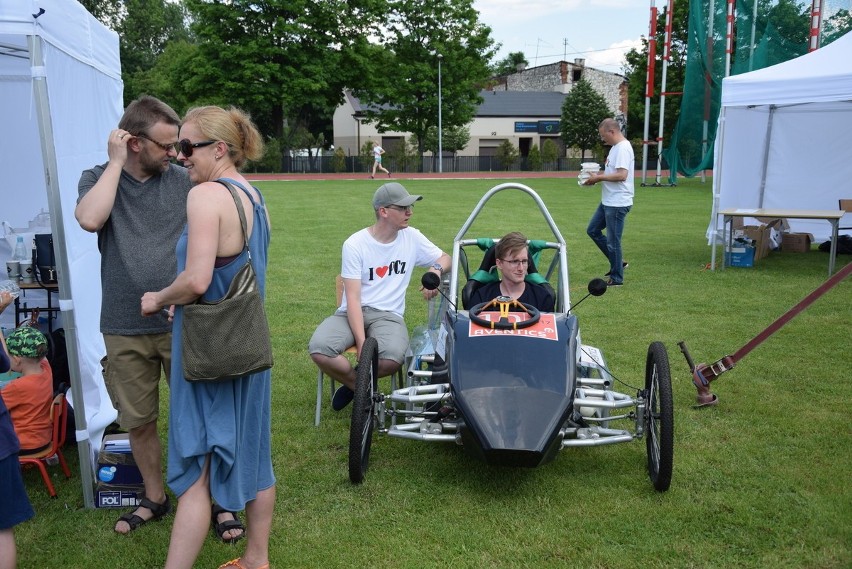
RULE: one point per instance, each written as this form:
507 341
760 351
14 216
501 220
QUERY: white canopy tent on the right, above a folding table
784 138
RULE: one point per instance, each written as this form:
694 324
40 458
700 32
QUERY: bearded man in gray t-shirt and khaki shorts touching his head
136 203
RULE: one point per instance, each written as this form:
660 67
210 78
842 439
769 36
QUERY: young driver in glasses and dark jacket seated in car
512 260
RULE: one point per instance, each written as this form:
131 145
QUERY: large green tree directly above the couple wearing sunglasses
284 61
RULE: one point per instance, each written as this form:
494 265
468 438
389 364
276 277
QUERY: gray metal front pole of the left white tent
51 174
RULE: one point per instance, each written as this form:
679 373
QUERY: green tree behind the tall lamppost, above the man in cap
404 94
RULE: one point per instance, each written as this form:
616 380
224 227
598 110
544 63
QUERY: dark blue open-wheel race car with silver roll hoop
512 387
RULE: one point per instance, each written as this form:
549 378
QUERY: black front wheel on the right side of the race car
659 417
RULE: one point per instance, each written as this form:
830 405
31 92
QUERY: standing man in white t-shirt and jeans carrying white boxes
616 199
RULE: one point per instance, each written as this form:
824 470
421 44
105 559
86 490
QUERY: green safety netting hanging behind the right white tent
765 32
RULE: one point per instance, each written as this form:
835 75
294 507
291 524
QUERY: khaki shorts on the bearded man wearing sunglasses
132 370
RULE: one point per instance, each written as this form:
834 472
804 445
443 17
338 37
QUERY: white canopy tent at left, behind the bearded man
60 95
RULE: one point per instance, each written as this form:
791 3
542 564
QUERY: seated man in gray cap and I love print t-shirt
378 262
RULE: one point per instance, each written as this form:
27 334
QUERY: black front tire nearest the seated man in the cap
363 411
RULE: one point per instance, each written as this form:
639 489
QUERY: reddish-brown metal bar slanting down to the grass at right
703 374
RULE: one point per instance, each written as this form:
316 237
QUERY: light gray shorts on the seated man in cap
333 336
